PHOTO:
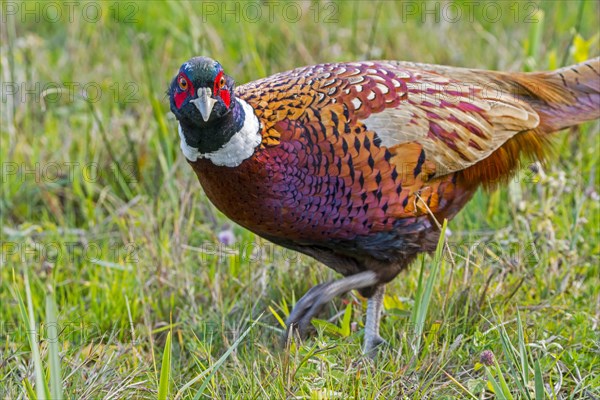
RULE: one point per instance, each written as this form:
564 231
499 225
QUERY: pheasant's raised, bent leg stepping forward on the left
310 304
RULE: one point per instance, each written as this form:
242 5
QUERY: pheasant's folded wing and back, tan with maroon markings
458 116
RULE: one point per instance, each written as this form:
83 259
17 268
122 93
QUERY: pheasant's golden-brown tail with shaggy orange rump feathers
561 98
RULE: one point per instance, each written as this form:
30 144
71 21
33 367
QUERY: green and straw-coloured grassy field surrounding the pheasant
116 283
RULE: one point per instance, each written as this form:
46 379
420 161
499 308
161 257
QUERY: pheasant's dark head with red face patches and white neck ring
213 124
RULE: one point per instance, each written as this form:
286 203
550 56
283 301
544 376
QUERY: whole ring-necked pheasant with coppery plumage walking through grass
354 163
